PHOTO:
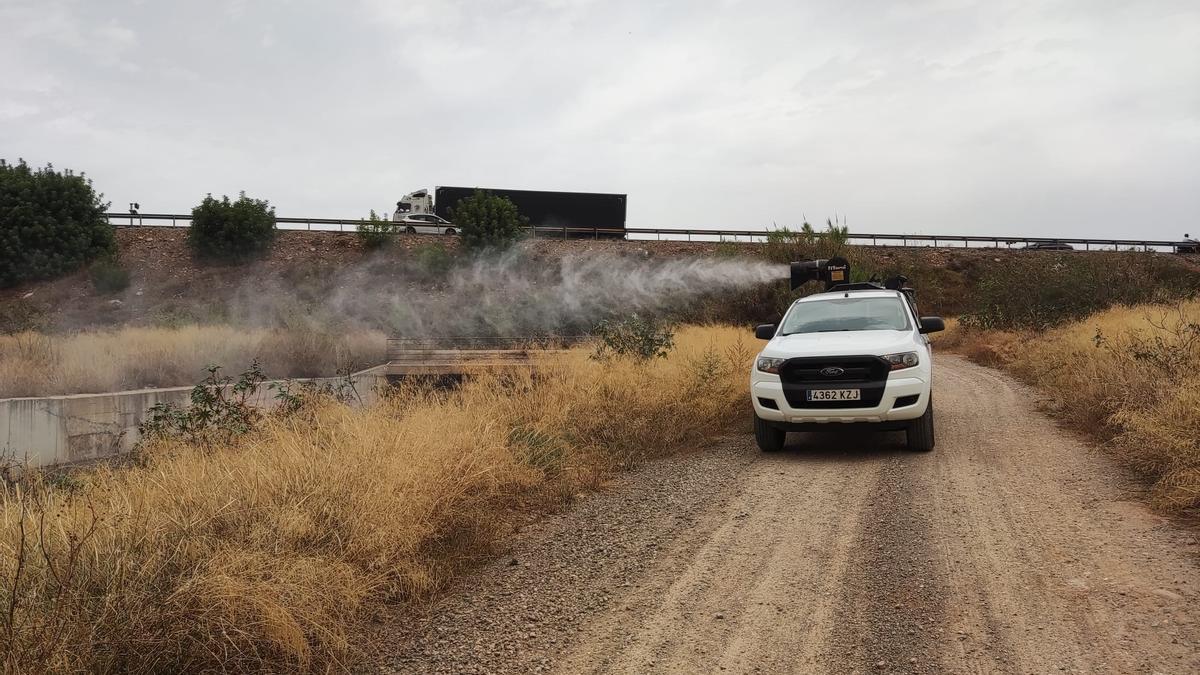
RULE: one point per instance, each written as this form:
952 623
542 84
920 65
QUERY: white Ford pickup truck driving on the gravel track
853 357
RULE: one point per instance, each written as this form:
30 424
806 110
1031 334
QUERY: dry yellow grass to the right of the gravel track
1131 375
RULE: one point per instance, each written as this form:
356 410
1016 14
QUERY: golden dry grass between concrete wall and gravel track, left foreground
265 554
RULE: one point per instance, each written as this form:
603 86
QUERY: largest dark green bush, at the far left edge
51 224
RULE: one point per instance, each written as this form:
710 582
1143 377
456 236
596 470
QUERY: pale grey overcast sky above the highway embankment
1049 118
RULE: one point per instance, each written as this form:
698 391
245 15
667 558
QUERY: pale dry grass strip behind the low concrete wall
34 365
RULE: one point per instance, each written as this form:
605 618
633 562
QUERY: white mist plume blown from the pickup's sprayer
517 295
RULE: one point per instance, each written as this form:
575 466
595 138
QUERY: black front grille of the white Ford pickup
803 374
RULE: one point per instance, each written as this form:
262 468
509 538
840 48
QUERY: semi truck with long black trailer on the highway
572 214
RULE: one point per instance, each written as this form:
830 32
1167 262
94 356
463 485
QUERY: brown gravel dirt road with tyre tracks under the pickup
1012 548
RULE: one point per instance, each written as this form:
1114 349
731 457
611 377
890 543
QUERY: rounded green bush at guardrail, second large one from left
226 231
